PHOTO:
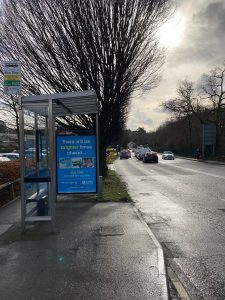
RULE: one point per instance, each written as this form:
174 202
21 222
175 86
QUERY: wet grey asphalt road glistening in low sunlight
183 202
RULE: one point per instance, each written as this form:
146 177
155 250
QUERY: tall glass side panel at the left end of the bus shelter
36 166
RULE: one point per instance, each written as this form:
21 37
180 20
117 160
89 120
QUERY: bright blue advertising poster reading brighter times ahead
76 164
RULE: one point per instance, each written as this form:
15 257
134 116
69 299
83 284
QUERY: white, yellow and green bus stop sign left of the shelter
12 77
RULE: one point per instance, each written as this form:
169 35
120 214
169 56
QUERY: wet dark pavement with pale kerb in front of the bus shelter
99 251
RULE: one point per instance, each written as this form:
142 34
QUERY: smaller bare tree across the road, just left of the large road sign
185 105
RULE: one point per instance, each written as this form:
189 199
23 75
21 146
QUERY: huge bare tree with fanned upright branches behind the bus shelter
109 46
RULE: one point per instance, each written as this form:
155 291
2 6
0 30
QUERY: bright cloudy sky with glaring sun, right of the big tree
195 44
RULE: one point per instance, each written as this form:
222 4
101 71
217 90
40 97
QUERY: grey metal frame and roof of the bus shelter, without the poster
50 106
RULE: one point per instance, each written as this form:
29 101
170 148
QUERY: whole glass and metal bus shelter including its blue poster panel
50 163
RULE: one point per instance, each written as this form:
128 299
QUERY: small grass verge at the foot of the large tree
113 189
